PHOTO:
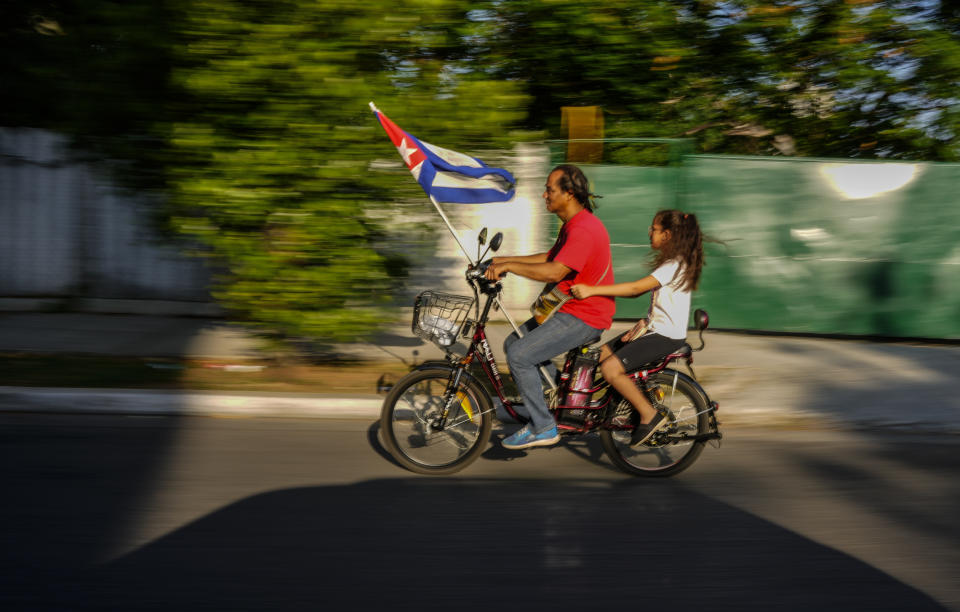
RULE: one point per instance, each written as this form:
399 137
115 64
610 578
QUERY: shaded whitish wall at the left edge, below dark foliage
66 232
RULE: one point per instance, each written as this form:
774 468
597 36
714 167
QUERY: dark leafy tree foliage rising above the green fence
845 78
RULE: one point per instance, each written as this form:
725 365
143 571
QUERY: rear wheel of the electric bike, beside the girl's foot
673 448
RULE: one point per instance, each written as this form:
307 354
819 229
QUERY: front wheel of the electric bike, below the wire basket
415 432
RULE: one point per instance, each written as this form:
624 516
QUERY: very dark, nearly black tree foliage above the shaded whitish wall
94 69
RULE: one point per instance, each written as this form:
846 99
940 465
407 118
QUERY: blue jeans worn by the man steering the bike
541 343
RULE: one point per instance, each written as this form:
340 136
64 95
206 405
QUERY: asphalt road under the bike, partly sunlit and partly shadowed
167 513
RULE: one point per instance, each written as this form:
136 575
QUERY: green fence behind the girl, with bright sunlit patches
822 246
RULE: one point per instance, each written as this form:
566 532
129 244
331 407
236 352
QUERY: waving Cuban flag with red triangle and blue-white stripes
448 176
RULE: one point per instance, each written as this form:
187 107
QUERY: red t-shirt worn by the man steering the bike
583 245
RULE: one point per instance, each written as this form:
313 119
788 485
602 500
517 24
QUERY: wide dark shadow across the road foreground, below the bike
474 544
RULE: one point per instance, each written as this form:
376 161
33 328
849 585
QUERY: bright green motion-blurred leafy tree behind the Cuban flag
275 141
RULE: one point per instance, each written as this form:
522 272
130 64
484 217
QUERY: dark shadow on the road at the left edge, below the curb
72 487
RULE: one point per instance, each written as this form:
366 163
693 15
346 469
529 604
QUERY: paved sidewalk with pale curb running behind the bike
758 380
